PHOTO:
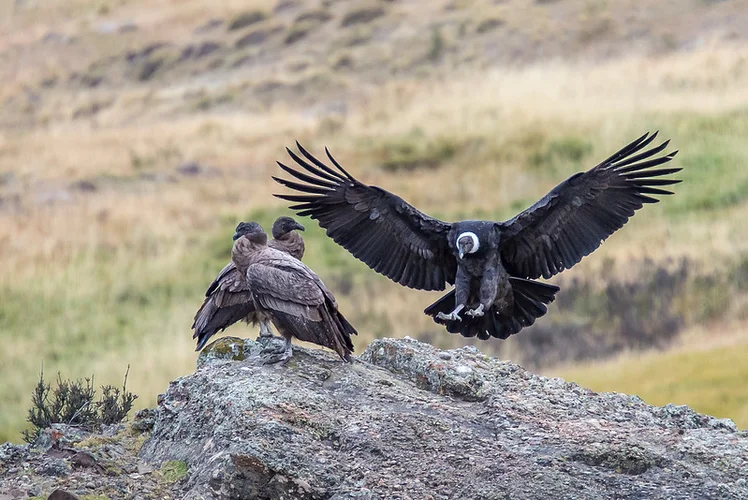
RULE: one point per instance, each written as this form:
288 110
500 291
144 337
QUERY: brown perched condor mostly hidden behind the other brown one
229 299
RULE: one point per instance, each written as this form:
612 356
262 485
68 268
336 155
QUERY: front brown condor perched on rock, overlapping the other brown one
288 294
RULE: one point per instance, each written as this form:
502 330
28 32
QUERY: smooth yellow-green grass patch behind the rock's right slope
712 381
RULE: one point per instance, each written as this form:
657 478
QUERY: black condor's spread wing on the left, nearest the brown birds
379 228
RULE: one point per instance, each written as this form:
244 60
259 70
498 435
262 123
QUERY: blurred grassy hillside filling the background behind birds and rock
135 134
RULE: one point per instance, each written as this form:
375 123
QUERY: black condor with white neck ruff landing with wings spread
490 263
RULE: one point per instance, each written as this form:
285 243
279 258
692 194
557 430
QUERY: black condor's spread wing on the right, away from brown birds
580 213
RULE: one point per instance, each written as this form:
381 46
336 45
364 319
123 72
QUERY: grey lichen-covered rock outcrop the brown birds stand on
404 421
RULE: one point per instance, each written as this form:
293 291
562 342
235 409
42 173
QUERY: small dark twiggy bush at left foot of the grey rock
73 403
